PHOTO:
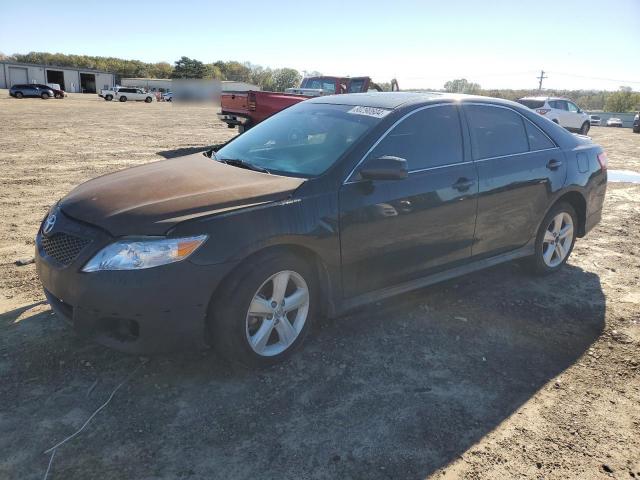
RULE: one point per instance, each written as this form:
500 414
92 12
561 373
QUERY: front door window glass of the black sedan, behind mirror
429 138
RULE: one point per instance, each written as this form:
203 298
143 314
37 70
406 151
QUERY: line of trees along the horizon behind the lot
279 79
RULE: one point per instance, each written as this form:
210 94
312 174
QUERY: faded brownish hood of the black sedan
152 198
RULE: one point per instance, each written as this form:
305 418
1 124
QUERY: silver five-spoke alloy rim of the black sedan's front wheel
277 313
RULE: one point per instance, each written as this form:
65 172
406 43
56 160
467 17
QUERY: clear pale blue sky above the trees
499 44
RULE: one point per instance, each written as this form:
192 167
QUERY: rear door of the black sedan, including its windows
519 169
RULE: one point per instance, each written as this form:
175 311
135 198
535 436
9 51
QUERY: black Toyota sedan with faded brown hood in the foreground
330 204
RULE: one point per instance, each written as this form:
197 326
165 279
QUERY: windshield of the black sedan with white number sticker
303 140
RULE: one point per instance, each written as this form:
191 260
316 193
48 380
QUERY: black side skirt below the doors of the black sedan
474 266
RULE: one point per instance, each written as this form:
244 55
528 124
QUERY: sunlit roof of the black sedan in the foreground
393 100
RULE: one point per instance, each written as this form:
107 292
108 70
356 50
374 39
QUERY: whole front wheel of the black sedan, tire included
256 340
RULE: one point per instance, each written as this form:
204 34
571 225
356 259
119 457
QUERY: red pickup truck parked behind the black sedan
246 109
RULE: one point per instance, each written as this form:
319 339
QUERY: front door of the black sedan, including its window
393 231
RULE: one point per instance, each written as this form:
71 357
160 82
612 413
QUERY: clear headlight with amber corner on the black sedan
136 254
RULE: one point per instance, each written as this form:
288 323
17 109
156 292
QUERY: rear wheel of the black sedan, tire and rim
556 220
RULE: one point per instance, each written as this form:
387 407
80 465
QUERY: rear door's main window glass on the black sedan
495 132
